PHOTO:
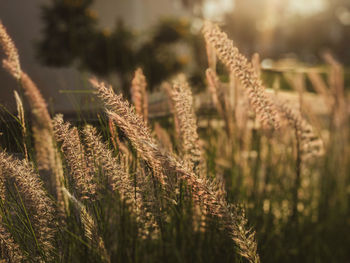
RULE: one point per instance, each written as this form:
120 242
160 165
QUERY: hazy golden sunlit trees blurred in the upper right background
271 29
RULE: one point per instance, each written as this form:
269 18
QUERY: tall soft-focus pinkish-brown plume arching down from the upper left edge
47 157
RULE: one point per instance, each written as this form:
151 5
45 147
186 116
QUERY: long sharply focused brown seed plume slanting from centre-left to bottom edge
202 193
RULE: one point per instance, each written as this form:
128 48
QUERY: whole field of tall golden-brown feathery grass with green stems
255 179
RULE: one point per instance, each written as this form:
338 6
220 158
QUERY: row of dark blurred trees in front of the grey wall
71 36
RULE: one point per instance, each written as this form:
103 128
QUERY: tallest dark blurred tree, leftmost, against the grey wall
67 24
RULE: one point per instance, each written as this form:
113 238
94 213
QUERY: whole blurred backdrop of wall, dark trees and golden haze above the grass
61 42
